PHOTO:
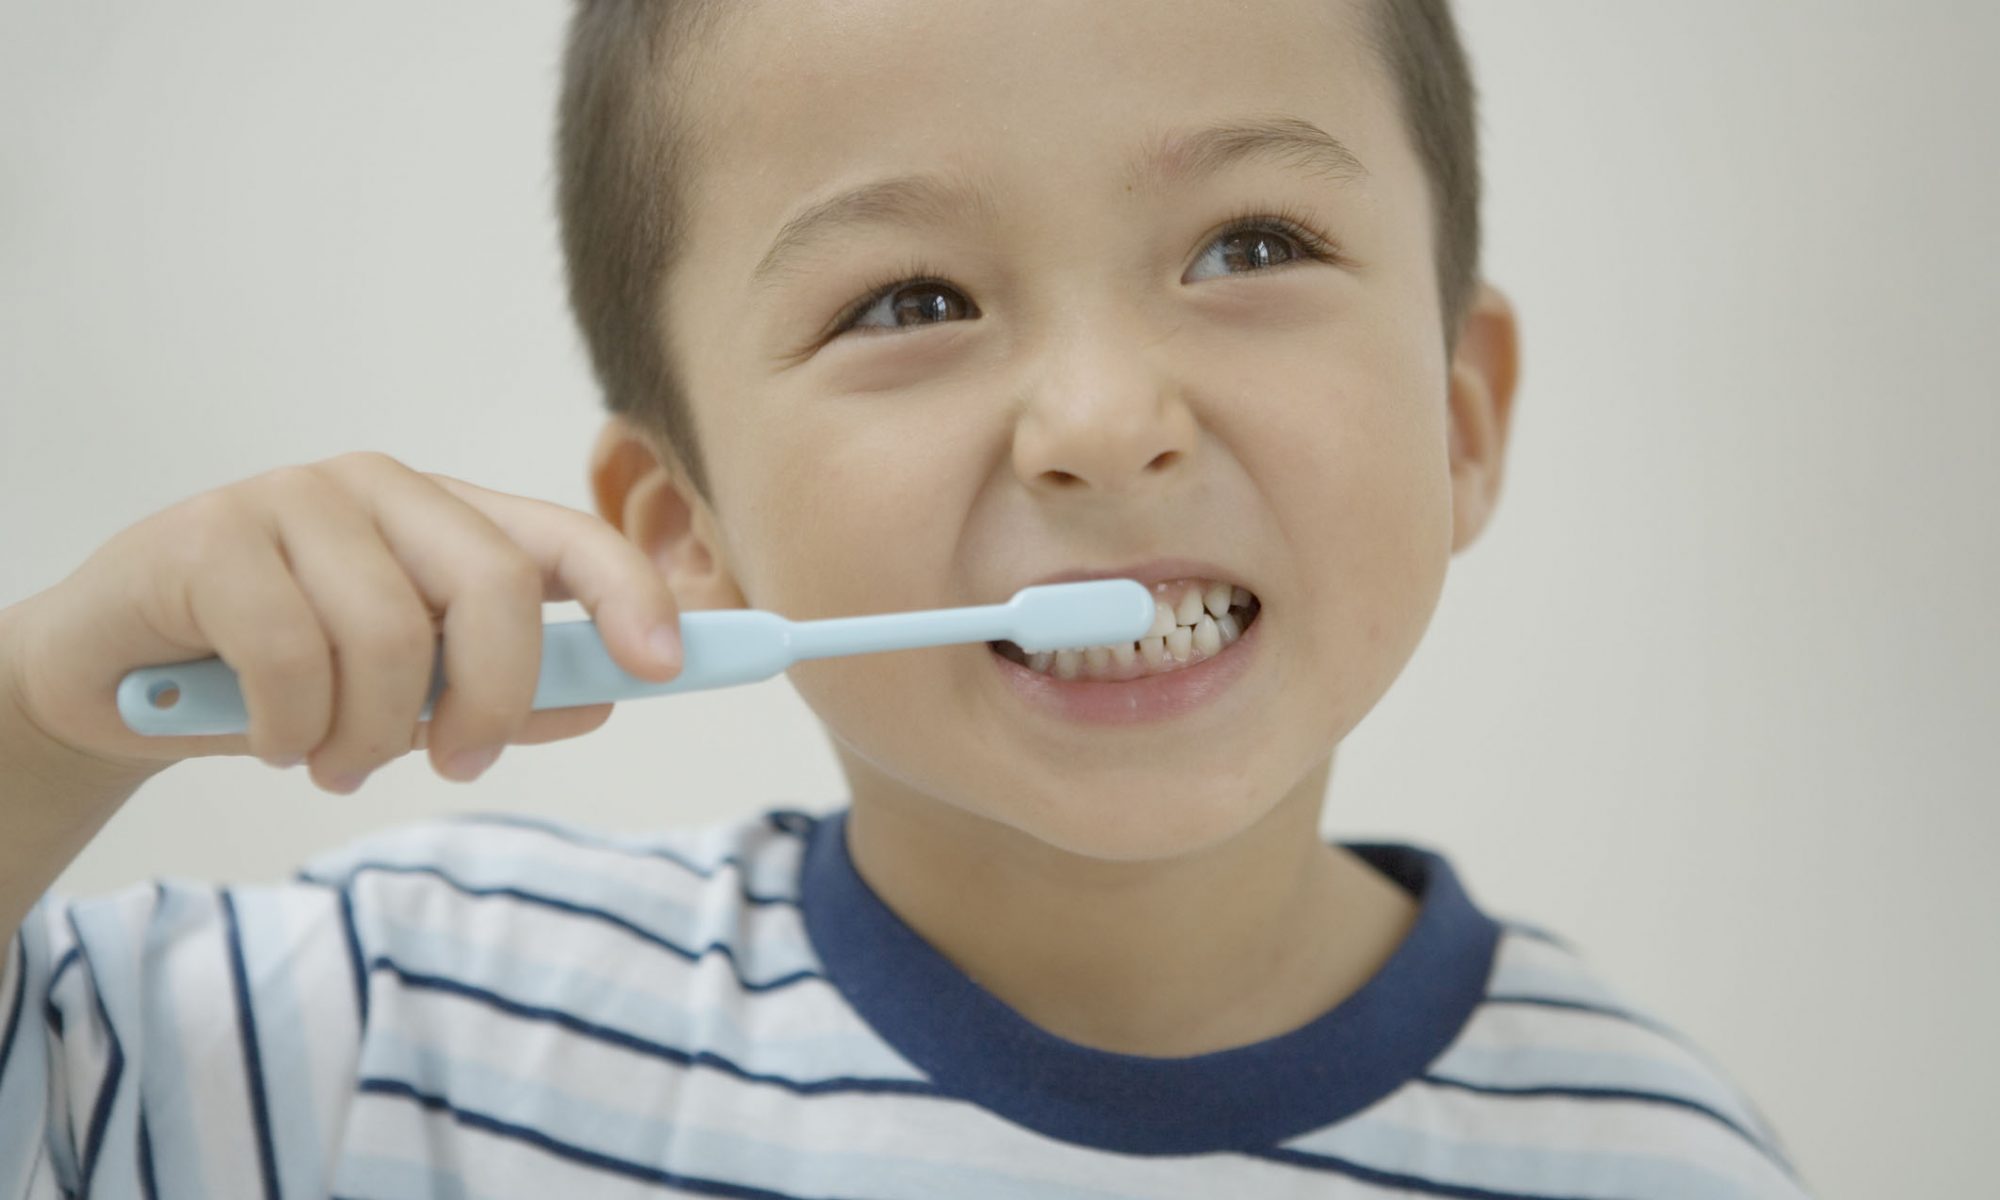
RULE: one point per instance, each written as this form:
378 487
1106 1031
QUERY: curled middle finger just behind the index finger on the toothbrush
487 589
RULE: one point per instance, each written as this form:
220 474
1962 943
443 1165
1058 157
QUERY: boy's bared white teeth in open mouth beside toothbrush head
1193 623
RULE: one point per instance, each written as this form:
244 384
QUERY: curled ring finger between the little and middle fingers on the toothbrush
383 633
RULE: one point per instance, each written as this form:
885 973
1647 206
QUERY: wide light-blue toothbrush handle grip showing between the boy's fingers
719 649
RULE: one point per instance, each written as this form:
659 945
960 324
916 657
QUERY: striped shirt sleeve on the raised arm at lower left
179 1039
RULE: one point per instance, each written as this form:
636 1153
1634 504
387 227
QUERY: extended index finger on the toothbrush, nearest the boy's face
593 563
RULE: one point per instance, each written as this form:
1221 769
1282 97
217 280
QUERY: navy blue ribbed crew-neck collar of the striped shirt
1243 1099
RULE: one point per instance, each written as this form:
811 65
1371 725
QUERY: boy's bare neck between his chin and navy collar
1225 947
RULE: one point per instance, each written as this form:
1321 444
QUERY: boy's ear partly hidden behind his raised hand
645 495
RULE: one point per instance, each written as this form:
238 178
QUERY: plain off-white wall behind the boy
1715 697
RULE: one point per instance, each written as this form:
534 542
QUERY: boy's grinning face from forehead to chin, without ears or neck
1101 383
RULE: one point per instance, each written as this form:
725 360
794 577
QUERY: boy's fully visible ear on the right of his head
1485 371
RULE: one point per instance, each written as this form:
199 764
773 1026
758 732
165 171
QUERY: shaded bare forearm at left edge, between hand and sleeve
53 801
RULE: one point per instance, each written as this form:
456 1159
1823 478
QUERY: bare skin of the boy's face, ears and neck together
1115 389
